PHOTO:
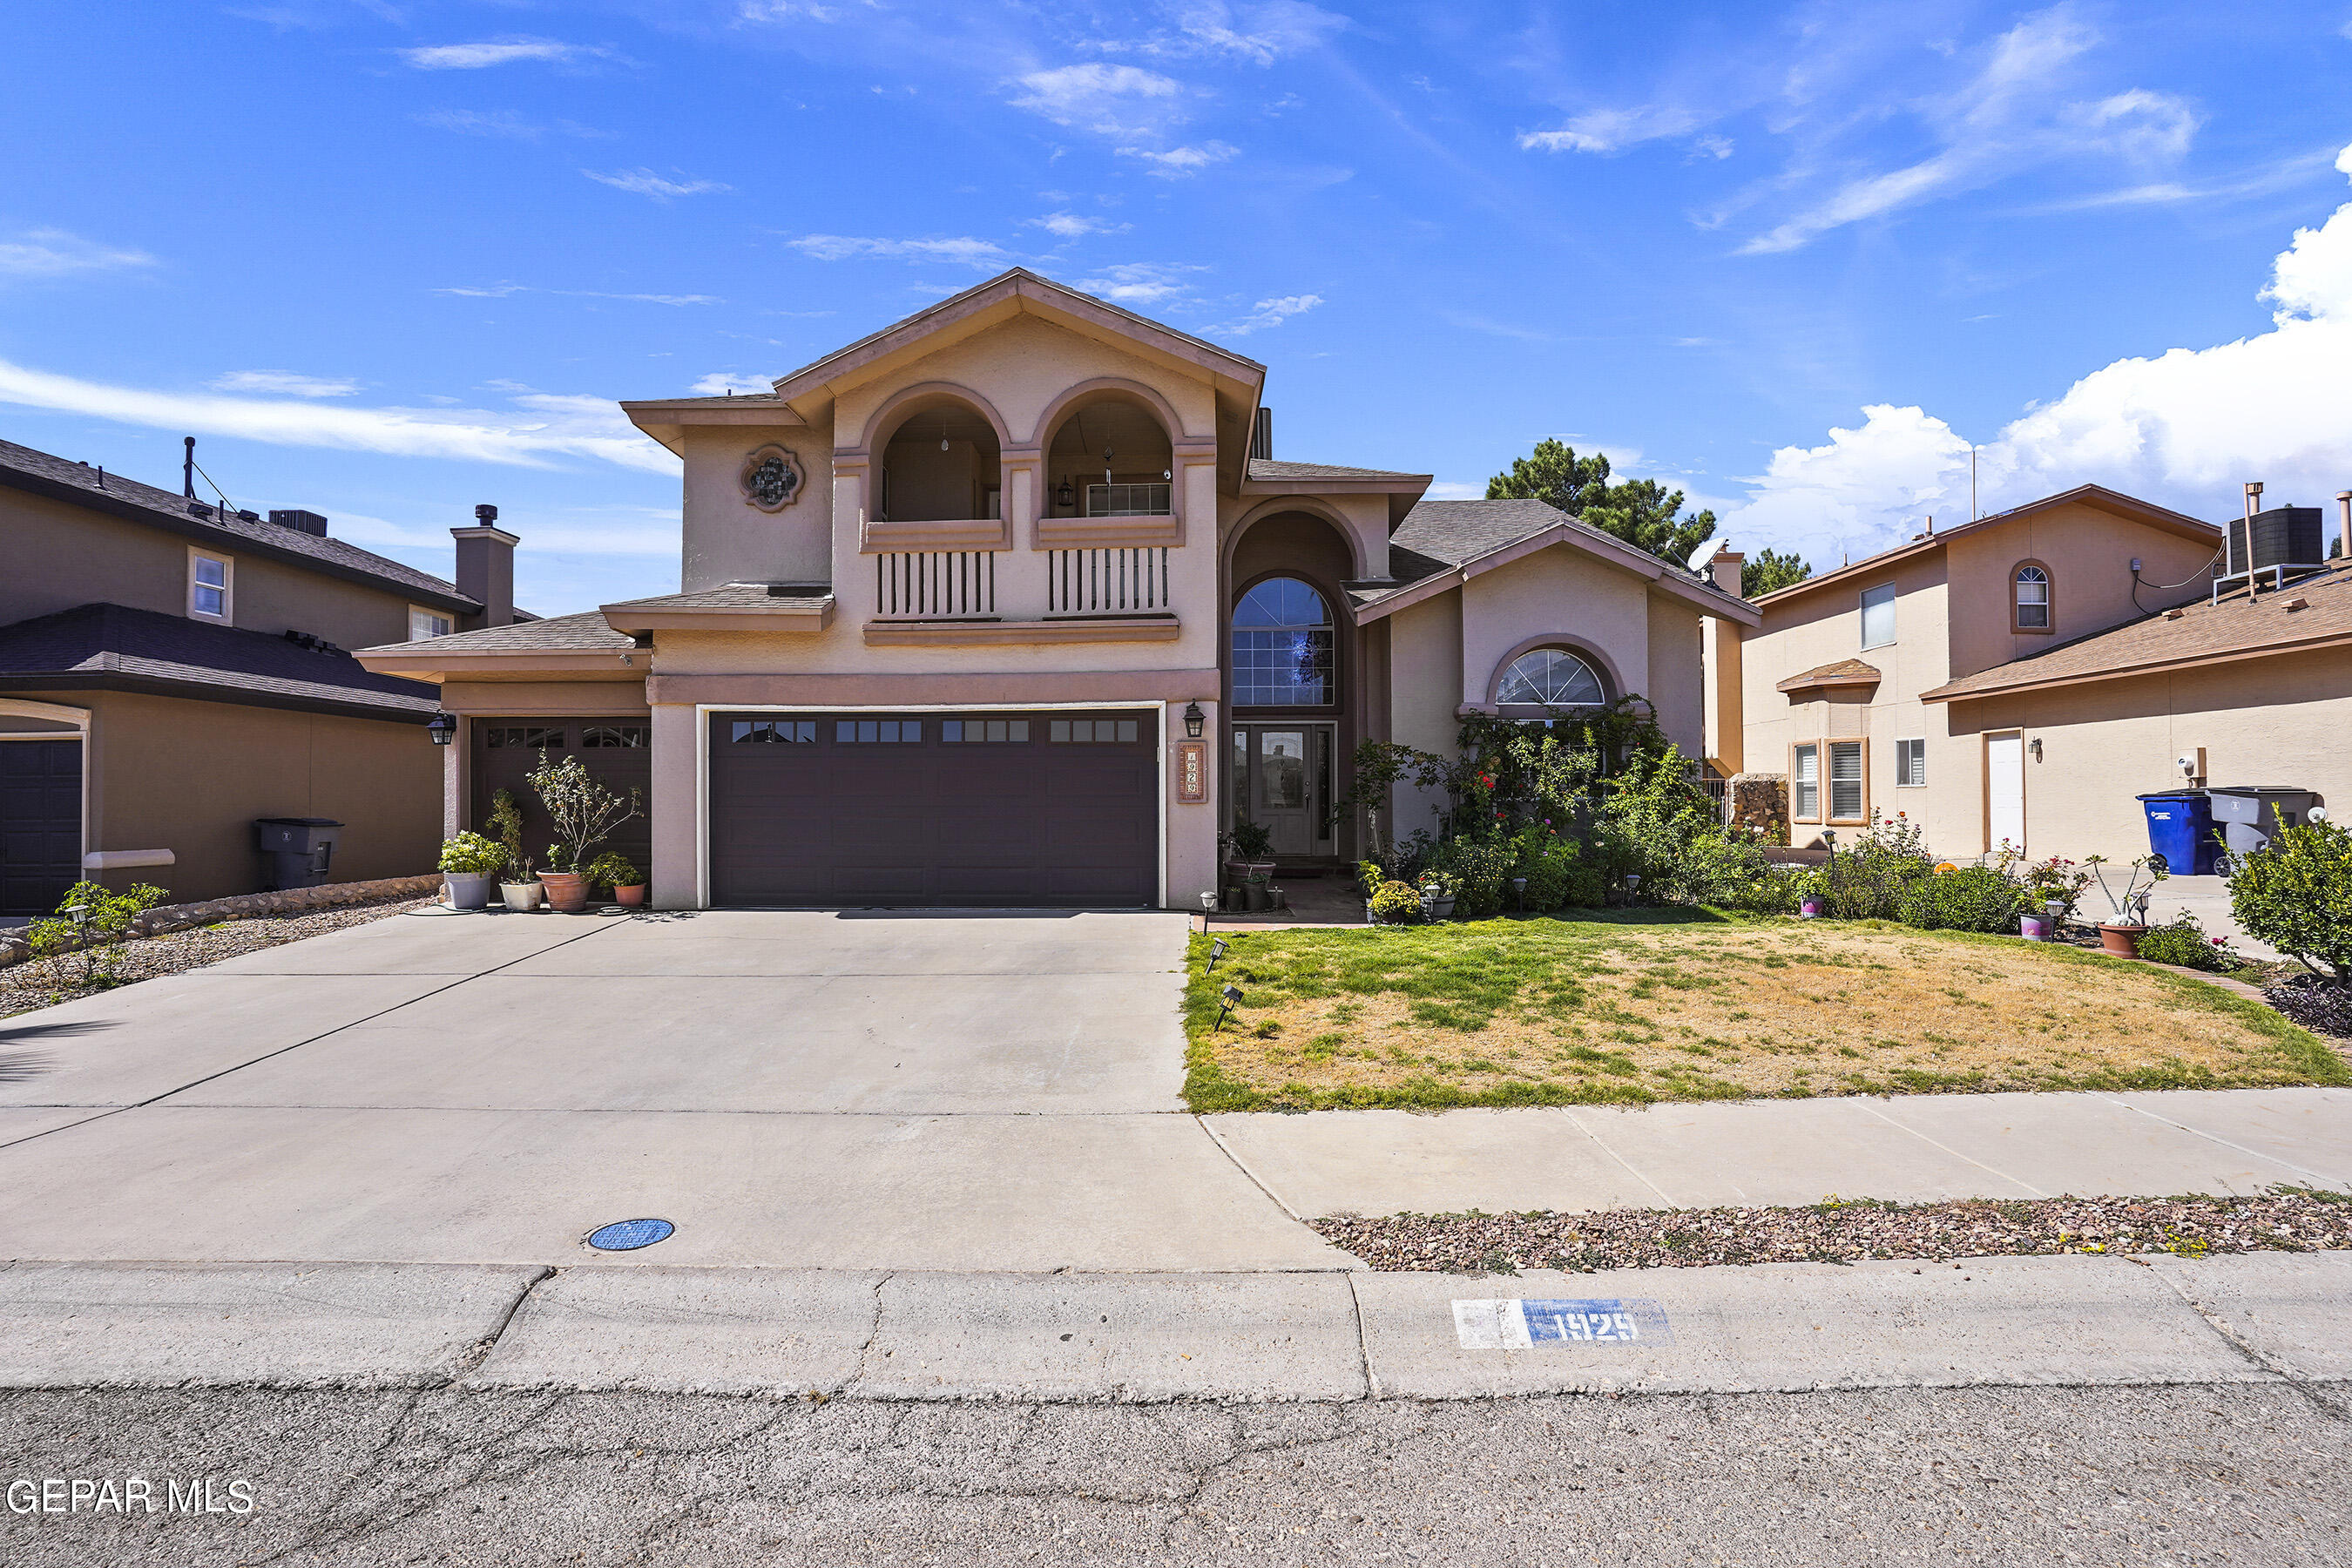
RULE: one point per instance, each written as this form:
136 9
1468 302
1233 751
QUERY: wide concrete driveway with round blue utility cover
794 1090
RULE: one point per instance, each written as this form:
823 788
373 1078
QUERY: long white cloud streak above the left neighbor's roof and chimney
533 434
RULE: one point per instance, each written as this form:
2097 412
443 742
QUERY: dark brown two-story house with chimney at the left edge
171 674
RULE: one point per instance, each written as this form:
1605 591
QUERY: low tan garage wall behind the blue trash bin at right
2104 744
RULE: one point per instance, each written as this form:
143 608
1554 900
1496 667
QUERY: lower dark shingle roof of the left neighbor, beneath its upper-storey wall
142 650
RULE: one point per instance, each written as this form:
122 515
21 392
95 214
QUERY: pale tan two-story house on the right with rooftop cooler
1904 683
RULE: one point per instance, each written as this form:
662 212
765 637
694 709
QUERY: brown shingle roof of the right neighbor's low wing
2243 626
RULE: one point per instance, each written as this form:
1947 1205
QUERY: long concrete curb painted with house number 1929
1156 1339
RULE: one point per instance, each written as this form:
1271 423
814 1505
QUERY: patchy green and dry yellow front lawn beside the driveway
1690 1005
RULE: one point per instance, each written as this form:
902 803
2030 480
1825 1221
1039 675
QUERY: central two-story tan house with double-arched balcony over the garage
1013 605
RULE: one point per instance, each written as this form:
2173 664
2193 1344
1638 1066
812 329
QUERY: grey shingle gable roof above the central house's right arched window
1464 540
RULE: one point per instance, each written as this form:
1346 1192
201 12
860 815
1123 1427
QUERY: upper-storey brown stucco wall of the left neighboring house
62 556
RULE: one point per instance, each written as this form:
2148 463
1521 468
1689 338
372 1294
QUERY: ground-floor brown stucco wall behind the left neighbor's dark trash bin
194 777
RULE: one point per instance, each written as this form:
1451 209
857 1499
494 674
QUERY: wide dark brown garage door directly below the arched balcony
980 810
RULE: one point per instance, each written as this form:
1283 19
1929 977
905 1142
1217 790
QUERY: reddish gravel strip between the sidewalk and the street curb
2283 1221
